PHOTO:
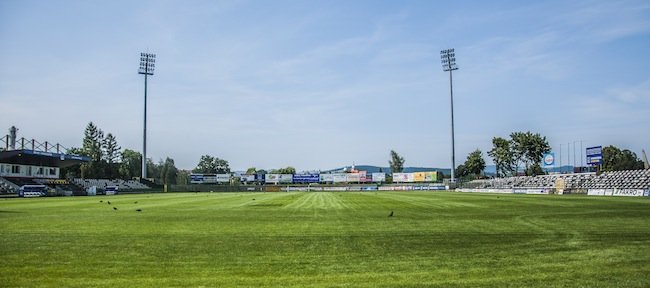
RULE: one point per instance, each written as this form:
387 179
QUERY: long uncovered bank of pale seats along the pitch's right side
629 179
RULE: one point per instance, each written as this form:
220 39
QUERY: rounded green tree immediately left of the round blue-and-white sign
529 148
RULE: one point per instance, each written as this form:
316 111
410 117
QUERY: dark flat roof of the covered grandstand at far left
40 158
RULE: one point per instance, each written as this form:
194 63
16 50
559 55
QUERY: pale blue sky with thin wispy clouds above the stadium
323 84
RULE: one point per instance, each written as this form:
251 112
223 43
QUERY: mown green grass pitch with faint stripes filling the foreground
434 239
